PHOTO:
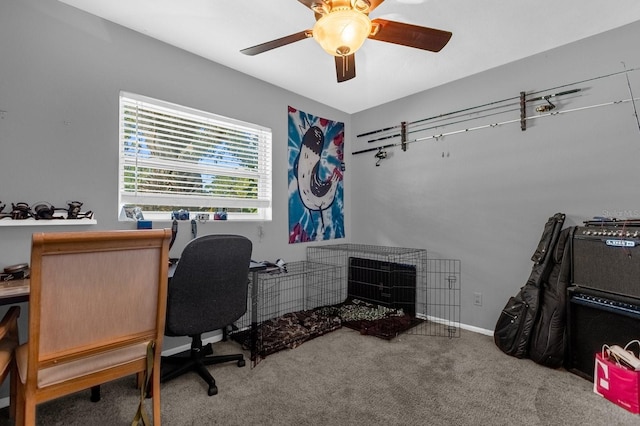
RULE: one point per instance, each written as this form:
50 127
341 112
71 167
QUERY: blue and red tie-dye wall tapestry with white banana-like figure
316 205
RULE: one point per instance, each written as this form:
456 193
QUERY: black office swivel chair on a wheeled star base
208 291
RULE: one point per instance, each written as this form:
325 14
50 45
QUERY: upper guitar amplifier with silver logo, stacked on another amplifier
607 258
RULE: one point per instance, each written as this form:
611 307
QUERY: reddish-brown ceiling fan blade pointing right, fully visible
411 35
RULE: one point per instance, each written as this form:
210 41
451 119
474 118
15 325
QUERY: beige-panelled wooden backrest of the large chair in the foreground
95 291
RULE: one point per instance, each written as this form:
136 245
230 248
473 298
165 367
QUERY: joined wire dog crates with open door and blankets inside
382 291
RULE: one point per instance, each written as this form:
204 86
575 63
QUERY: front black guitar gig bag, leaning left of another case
517 319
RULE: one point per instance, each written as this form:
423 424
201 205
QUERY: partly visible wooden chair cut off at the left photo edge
8 344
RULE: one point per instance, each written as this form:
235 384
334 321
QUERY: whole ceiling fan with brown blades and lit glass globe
343 25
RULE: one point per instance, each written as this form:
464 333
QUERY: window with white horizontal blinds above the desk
177 158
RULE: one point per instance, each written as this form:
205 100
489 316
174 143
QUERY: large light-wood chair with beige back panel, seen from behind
97 304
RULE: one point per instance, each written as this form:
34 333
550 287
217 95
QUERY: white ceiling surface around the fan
486 34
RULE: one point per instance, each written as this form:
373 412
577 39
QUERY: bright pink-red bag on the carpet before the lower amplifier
616 383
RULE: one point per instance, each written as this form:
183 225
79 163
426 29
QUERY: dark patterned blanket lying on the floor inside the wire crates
292 329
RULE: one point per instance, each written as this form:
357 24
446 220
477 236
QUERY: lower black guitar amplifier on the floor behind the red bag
595 318
